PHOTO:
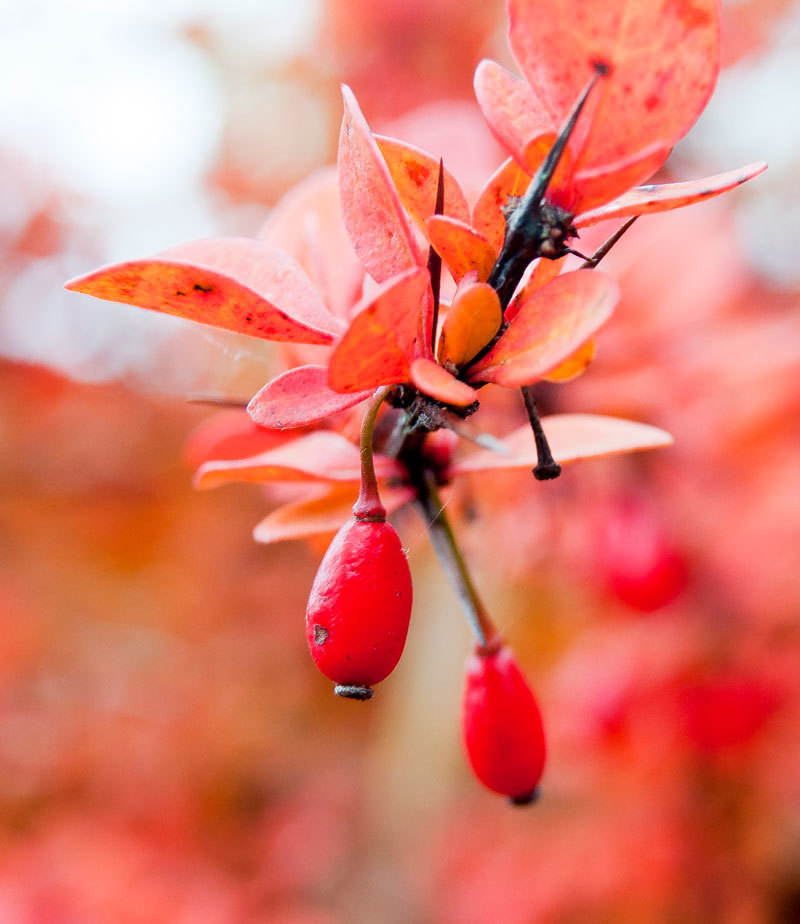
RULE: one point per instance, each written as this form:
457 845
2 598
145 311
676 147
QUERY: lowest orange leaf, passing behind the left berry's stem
323 514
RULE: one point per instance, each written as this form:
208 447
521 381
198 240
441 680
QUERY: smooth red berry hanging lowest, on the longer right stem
503 730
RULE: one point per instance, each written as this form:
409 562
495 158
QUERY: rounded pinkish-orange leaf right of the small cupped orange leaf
550 326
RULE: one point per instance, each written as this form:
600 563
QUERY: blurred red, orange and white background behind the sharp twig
168 751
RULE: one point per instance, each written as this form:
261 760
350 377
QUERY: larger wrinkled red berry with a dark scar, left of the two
360 605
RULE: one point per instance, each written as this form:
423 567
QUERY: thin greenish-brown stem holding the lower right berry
452 561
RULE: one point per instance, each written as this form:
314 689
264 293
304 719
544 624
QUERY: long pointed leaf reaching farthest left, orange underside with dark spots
234 283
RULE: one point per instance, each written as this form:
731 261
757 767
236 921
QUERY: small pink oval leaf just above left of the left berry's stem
299 397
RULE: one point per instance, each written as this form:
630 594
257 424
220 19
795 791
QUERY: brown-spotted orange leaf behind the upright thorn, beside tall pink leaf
416 176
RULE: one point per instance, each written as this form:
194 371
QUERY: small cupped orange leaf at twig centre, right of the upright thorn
473 319
